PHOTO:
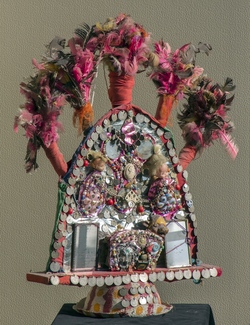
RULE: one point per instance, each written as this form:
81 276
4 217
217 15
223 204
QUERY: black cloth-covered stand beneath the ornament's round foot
181 314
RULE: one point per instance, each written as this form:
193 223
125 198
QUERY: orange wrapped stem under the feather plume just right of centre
165 105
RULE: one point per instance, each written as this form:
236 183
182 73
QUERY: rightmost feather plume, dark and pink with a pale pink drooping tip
204 119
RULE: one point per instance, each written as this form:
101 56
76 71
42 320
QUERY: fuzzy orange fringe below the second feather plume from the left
83 117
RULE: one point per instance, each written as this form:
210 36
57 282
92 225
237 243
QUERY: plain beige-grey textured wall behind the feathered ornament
220 187
